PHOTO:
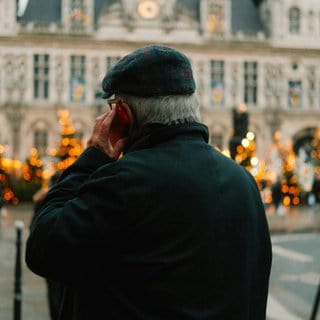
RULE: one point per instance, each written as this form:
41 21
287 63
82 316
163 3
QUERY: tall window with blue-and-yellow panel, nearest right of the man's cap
217 82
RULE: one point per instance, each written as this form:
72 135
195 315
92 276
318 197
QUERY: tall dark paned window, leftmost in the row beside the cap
41 76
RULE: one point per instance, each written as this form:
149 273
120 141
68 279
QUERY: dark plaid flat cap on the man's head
154 70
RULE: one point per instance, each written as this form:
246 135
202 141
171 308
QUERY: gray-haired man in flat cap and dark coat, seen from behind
151 222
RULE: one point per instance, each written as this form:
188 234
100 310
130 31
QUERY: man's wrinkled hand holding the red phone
100 137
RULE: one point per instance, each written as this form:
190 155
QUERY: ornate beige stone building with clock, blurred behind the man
264 54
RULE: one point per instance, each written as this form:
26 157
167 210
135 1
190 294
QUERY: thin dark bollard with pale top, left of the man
17 303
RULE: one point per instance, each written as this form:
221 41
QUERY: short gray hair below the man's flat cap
163 109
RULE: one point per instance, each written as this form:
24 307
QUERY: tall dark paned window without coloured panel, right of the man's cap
250 82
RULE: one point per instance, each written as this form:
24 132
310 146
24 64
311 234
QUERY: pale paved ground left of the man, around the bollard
34 304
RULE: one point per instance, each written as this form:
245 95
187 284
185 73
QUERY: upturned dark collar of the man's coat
156 133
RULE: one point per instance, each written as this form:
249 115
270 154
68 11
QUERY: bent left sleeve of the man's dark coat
77 221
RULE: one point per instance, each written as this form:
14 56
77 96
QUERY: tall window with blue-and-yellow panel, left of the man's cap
77 79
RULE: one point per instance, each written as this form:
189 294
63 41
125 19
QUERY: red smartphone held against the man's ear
120 124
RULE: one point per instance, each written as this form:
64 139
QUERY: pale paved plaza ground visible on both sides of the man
34 305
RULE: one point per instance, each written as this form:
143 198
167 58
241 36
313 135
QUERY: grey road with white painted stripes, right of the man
295 276
